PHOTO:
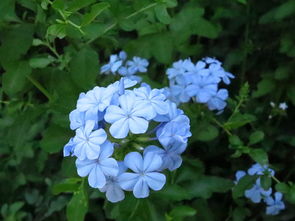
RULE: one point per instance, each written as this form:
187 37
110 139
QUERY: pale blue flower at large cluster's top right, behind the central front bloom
153 99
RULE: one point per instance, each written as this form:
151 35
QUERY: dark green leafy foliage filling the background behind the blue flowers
50 51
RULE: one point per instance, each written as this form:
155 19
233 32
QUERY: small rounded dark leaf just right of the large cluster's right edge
205 132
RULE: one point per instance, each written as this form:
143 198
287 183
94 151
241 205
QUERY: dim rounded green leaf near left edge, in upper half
14 79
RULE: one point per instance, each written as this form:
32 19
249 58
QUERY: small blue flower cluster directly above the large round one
126 68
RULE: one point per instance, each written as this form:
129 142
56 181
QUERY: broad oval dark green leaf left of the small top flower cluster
84 68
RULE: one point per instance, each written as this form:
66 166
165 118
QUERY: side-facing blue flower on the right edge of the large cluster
177 130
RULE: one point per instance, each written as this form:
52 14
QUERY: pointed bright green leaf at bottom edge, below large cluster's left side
78 205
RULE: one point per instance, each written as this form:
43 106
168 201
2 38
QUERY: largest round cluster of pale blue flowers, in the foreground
126 137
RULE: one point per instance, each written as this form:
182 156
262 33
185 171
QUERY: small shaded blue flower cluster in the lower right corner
257 193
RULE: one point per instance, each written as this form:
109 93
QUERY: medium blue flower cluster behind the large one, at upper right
198 82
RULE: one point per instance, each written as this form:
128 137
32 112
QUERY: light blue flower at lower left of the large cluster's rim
99 168
